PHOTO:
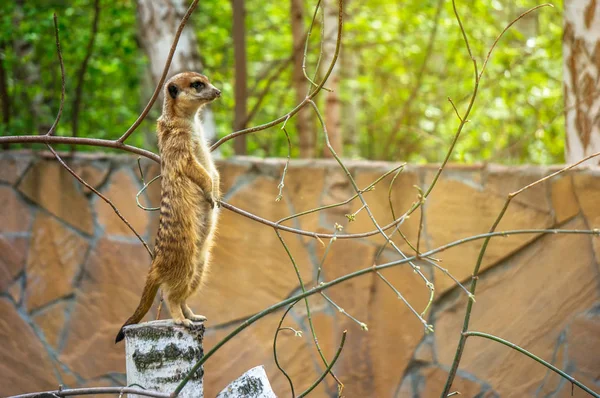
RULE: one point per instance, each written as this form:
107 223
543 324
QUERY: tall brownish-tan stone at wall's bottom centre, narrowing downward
371 301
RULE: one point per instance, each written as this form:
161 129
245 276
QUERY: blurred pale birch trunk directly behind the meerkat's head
157 23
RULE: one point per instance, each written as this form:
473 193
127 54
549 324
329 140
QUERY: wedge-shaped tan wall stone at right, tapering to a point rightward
457 210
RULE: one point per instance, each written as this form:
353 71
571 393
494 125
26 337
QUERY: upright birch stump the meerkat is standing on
159 354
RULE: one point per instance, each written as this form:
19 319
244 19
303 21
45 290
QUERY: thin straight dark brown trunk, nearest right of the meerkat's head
241 81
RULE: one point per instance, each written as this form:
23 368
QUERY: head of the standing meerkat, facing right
187 92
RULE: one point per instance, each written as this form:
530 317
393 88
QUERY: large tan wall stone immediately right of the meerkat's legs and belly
246 251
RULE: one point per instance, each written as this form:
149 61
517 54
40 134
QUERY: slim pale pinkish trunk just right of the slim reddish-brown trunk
332 100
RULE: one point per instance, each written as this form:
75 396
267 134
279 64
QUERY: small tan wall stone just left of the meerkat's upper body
121 191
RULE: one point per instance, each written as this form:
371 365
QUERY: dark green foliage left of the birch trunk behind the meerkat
111 99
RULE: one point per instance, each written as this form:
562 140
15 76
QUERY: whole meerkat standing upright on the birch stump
189 200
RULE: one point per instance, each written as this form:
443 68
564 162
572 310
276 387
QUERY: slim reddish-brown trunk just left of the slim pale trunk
304 128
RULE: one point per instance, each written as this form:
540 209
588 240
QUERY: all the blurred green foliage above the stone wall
518 116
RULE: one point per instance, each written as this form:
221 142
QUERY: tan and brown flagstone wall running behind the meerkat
71 272
